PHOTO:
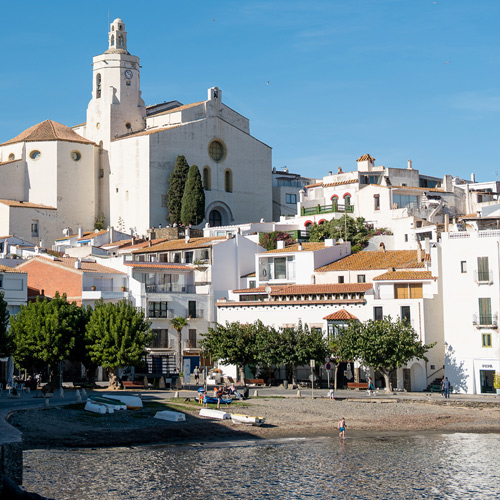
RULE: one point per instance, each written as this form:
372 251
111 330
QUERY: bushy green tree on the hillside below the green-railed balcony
347 228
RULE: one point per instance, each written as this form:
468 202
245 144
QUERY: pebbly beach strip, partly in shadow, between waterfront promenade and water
71 426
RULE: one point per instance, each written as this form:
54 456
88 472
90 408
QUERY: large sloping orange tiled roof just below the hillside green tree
368 260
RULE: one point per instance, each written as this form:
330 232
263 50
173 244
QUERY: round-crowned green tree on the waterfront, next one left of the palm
117 336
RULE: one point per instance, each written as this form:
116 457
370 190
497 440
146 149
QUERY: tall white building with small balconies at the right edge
470 287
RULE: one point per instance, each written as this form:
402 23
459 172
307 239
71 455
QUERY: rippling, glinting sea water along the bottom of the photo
454 466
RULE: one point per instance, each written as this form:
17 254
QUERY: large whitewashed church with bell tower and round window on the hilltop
115 167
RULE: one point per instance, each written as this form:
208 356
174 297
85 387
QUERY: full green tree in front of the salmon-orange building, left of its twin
46 332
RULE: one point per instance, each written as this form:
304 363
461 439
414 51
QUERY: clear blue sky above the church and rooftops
399 79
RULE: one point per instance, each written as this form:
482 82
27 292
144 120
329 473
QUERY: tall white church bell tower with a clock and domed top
116 108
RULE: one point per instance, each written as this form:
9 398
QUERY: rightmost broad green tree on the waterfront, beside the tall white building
383 344
